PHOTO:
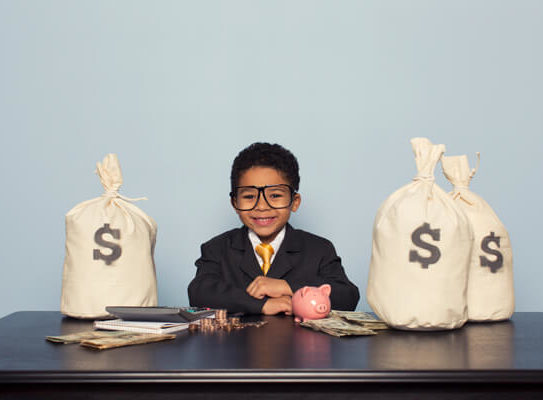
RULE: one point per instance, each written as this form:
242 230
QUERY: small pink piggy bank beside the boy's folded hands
311 302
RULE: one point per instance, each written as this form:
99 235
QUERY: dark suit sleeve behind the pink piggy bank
345 294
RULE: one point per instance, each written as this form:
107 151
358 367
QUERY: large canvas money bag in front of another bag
420 252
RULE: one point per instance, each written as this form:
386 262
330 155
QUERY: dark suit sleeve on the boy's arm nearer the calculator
210 289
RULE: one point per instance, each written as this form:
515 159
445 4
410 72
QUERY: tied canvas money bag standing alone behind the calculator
109 251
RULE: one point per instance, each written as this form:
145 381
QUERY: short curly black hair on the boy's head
266 155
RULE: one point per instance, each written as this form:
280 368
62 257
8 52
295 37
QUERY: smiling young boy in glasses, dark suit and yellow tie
257 268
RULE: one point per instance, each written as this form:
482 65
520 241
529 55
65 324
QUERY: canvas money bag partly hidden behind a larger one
490 284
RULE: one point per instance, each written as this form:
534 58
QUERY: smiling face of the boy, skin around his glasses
265 221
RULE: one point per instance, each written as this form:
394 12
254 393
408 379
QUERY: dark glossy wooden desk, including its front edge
497 360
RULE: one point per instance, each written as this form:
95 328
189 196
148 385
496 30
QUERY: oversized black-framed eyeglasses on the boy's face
245 198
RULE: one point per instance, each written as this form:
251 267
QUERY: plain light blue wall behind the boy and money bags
178 88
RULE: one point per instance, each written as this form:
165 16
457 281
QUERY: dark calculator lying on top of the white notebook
159 314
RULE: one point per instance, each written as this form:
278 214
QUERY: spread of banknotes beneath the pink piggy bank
345 323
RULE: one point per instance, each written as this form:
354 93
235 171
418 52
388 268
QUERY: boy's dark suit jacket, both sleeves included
228 265
